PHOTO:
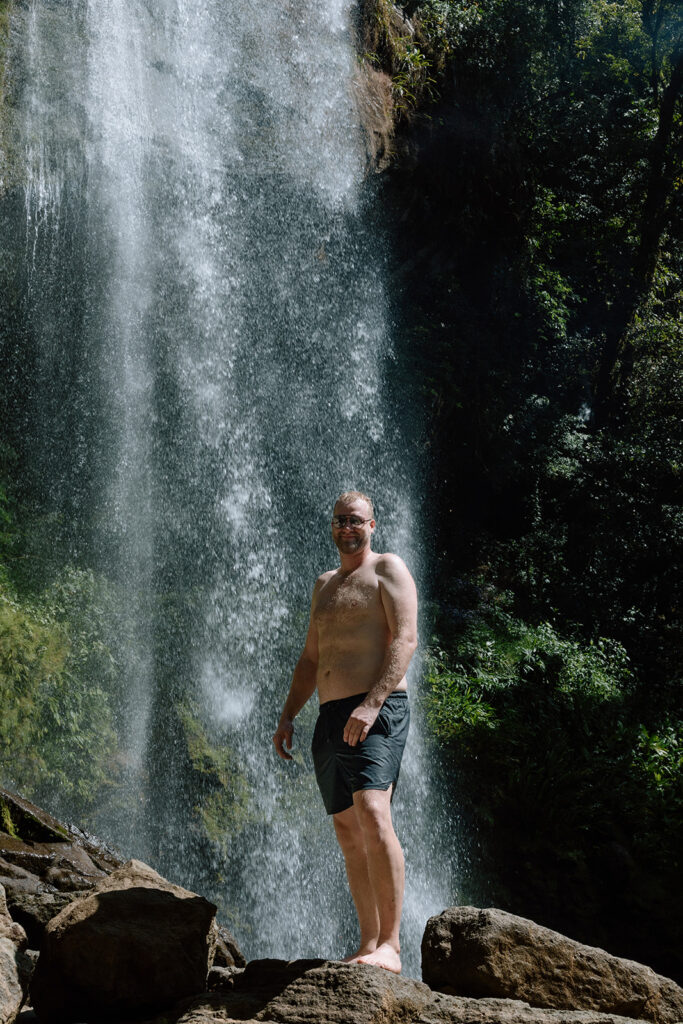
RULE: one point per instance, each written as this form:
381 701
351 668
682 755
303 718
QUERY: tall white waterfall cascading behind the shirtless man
207 298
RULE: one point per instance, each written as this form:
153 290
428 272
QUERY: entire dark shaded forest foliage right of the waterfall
543 310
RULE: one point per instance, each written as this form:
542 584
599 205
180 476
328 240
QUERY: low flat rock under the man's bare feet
325 993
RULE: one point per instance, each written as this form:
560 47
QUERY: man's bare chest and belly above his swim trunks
353 632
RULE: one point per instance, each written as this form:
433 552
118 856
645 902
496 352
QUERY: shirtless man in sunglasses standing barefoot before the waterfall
362 636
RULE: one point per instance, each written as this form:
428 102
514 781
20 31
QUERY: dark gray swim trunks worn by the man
343 771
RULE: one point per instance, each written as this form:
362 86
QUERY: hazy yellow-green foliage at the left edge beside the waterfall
59 678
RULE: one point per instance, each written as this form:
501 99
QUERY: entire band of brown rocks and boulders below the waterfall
86 938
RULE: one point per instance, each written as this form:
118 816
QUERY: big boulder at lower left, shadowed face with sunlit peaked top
134 946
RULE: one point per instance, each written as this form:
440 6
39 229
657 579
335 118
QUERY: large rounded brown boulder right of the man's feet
468 952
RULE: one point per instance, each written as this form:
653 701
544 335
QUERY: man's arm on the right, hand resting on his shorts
400 602
